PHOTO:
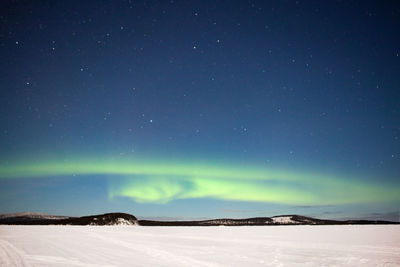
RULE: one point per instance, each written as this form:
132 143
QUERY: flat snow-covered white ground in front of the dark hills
350 245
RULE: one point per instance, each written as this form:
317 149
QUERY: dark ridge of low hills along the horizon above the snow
127 219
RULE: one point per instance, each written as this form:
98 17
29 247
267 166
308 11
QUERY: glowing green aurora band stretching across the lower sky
161 182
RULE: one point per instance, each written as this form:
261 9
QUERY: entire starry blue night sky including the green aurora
200 109
